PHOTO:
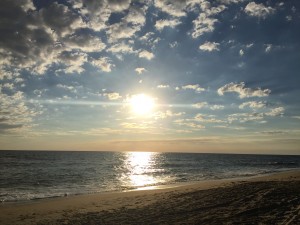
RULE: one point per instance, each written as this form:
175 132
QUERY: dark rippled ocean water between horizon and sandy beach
31 175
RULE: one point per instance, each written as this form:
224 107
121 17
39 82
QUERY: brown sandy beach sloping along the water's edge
271 199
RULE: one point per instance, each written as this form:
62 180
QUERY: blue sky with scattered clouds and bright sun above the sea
150 75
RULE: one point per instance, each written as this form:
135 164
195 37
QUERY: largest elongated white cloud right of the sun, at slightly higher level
242 91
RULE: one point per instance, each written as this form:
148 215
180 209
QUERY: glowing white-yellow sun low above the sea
141 104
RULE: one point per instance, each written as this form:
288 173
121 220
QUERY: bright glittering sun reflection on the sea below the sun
140 167
